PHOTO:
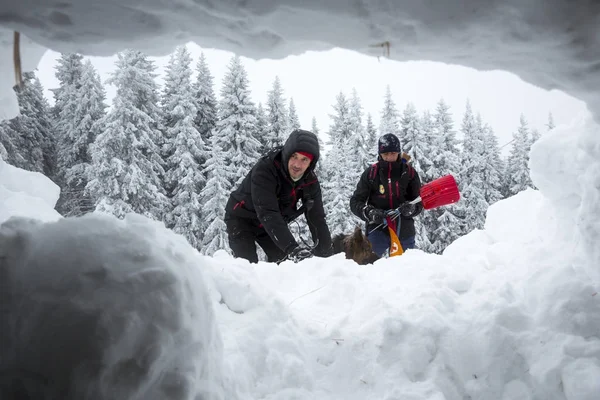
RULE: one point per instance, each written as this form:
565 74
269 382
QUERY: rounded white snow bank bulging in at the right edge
565 166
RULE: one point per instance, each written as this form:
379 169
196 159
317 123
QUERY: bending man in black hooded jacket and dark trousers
259 210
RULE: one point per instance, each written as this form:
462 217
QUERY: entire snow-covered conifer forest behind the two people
174 152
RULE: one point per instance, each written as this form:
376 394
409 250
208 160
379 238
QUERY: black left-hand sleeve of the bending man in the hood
264 198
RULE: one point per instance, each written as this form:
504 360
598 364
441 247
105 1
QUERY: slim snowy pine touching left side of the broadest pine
79 123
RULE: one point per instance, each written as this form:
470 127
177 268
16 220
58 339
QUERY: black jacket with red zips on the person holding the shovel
386 185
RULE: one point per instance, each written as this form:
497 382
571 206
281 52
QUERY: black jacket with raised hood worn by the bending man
269 196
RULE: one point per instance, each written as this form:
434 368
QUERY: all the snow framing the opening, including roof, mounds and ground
95 308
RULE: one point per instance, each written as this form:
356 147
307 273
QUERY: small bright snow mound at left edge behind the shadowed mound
26 194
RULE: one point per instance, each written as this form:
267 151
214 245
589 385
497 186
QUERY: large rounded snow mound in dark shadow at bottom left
101 309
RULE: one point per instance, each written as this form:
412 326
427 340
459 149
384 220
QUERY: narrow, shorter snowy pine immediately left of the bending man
214 197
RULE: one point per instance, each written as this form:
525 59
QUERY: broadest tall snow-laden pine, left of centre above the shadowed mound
127 168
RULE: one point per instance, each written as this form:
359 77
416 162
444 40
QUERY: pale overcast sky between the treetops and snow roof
314 79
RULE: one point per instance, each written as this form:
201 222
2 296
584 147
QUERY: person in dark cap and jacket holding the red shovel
386 185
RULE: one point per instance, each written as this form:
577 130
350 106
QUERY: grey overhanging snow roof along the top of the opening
554 44
